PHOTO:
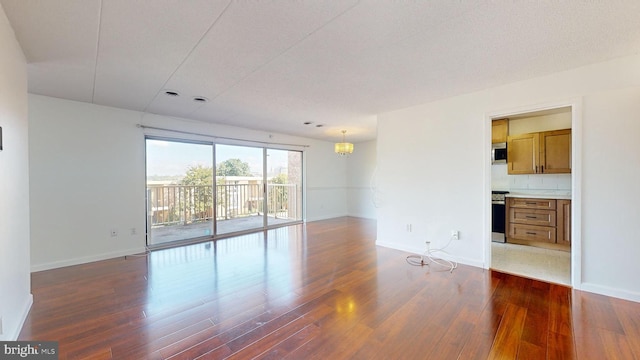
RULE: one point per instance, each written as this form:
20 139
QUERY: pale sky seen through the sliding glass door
171 158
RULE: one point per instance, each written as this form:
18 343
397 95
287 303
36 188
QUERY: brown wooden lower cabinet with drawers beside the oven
539 220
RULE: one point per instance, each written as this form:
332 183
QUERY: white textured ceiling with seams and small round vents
273 65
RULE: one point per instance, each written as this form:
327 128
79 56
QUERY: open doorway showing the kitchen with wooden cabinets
535 186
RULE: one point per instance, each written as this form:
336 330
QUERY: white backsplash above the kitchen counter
500 180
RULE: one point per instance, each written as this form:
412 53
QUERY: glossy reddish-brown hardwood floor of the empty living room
317 291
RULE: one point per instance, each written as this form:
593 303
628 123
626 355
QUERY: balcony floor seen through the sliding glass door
169 233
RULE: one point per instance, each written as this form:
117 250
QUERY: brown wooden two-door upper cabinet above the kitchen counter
546 152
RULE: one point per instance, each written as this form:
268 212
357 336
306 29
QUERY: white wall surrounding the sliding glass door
88 177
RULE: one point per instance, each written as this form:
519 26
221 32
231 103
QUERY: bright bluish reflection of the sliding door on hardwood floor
223 272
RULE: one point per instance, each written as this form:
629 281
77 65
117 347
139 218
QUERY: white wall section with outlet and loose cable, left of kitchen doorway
430 176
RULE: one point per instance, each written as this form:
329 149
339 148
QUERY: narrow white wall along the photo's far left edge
15 283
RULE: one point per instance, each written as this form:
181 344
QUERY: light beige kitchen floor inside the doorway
532 262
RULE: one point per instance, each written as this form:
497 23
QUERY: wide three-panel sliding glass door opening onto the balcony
249 188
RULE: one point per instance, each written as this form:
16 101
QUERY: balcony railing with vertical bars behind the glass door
188 204
